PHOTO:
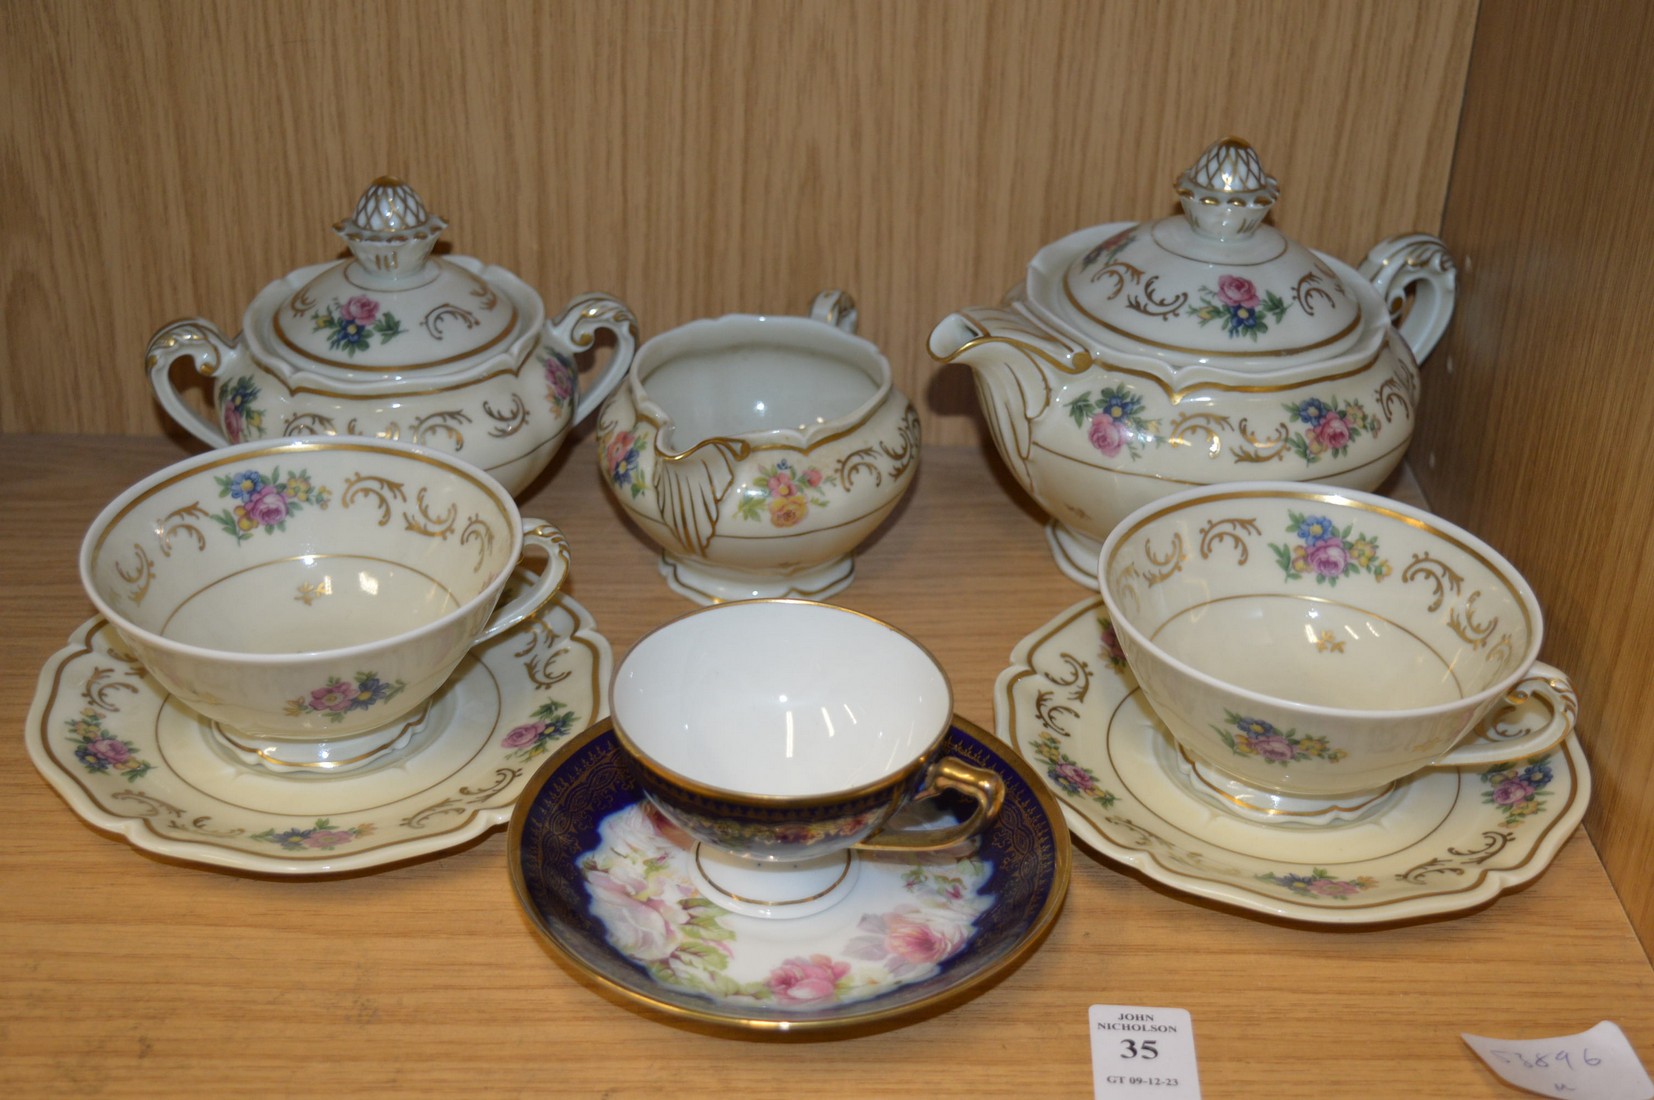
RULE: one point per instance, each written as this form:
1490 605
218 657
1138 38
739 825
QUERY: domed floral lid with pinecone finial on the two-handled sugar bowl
393 307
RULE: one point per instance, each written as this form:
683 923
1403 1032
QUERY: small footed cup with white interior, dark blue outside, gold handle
785 772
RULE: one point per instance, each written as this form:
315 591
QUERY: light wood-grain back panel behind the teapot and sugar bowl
168 158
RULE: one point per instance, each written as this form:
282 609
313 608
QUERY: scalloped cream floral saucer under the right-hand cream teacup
1441 843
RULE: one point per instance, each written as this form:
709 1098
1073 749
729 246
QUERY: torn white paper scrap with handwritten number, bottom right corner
1597 1064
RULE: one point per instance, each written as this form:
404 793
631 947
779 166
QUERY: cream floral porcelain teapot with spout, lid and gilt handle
1142 358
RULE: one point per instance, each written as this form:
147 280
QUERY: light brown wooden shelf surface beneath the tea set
130 975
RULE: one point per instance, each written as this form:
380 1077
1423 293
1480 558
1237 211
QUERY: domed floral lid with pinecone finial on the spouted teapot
1215 284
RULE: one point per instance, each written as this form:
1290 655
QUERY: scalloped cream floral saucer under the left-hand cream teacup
130 758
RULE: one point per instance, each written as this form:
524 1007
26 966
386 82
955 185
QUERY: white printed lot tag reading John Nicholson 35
1144 1055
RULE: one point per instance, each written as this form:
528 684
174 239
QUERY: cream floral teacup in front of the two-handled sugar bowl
312 595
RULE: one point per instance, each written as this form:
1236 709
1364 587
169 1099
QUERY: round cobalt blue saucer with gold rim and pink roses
609 886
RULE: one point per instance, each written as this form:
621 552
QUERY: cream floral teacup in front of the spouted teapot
1324 644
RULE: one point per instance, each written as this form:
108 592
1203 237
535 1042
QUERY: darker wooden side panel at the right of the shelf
1537 421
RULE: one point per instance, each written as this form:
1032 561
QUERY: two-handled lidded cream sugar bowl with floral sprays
401 343
